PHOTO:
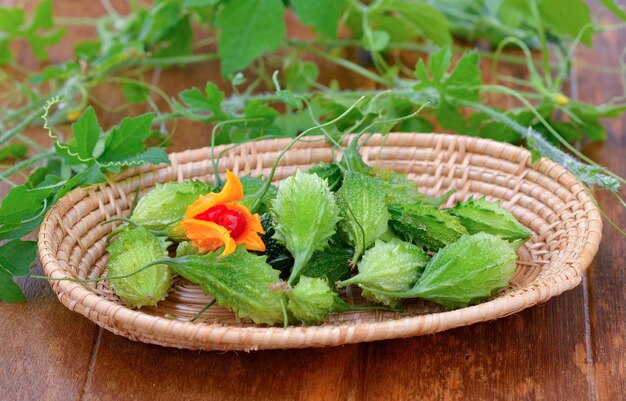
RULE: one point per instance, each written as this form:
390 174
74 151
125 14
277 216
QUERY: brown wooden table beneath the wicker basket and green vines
570 348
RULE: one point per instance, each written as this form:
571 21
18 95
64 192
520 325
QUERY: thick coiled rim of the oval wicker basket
215 336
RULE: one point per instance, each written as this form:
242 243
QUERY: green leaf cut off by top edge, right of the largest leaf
323 15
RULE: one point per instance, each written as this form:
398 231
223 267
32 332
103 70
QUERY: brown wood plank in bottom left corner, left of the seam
45 349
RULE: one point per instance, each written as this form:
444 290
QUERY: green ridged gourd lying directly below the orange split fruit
241 282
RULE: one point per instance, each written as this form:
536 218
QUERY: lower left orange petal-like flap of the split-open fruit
208 236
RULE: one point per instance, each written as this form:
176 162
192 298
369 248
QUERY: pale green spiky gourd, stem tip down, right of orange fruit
305 214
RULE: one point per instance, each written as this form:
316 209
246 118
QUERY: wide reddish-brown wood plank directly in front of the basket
538 354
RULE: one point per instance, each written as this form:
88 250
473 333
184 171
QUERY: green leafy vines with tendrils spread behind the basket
275 88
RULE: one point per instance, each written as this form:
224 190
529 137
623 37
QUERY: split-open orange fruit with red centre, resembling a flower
217 219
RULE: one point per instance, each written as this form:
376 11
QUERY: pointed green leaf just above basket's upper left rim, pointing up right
127 139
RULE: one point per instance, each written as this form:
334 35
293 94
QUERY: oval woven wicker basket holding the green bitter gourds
546 198
